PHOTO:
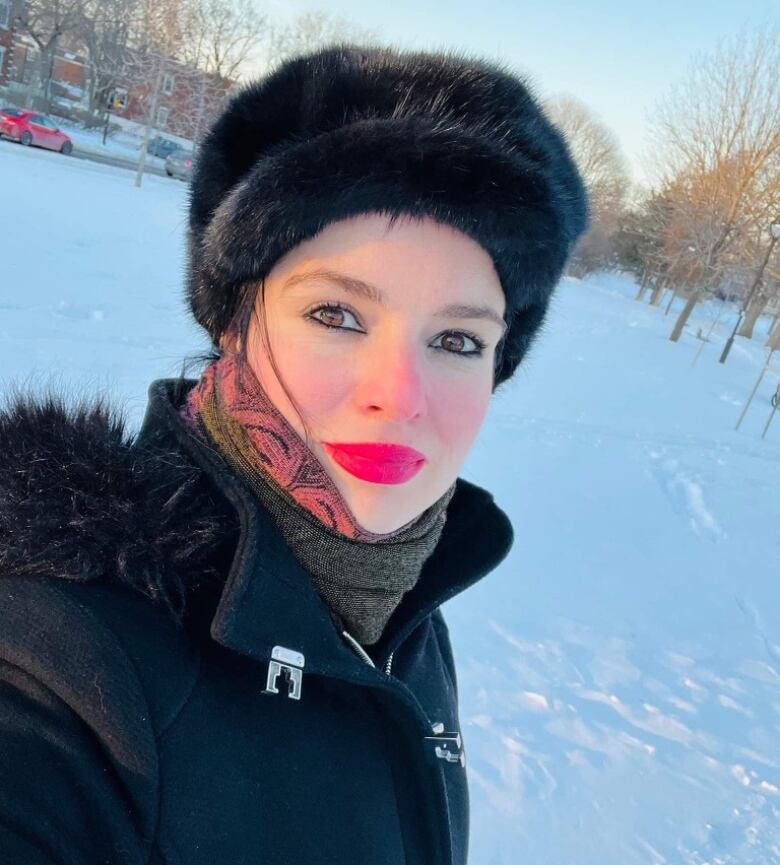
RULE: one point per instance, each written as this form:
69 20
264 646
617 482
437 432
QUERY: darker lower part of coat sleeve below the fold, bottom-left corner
61 799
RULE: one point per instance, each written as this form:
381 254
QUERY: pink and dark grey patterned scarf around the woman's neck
361 575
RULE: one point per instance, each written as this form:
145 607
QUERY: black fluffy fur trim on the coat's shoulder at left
78 501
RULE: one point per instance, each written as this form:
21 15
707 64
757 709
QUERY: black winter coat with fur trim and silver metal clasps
172 688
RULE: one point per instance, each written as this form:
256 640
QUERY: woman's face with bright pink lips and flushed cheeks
359 332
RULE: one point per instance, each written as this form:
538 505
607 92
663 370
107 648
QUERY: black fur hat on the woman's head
353 129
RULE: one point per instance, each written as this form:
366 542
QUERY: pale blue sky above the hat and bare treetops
618 57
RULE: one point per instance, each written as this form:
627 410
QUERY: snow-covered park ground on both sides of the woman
620 672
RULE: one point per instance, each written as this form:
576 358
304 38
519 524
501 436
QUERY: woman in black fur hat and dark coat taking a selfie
220 641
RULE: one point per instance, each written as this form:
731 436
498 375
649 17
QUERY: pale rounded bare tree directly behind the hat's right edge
598 156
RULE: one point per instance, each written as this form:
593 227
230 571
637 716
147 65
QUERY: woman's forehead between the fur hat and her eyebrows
416 260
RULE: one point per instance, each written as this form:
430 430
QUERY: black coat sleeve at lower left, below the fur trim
78 758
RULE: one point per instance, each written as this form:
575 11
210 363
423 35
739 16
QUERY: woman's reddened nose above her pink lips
391 383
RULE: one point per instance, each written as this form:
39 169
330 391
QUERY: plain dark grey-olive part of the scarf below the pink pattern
361 582
